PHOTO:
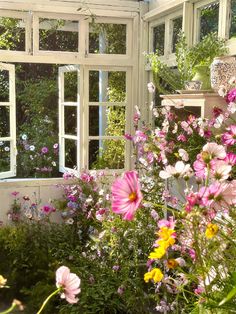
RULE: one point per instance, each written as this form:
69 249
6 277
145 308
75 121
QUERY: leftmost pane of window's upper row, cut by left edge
12 33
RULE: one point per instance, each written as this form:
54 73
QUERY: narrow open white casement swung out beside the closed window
69 118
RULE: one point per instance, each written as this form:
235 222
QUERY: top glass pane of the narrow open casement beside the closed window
70 86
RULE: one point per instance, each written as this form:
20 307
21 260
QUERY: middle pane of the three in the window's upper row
58 35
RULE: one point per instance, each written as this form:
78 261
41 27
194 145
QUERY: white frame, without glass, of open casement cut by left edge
12 106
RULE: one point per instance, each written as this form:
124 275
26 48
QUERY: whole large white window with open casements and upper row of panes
80 121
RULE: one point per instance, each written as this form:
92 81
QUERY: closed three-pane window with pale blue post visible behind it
106 102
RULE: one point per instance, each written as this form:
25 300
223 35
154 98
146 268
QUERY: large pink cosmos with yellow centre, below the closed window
126 195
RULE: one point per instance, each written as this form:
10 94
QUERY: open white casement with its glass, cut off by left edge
7 121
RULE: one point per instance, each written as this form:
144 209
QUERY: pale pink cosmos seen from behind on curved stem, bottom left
69 283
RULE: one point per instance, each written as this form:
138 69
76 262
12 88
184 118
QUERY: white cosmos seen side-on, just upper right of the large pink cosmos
179 170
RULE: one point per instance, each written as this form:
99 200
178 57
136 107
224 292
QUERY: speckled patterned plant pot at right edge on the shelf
222 69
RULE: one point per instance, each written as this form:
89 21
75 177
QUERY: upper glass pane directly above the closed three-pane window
107 38
